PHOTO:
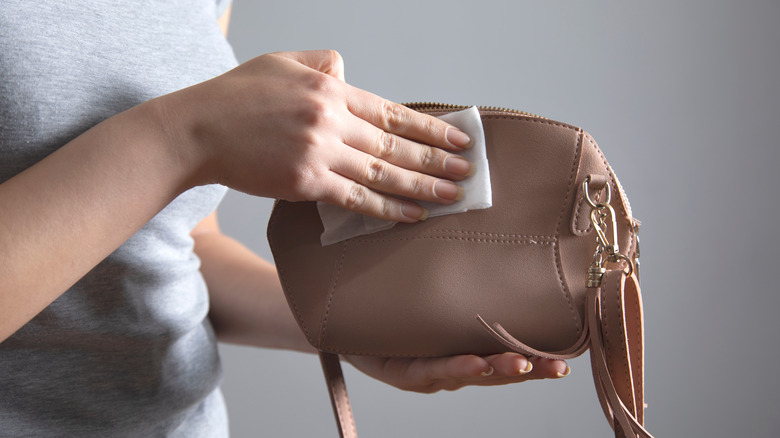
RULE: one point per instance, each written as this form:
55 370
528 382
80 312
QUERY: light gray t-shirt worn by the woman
128 351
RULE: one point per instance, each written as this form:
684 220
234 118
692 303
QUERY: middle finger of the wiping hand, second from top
408 154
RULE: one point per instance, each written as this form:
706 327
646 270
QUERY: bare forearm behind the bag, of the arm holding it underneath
248 306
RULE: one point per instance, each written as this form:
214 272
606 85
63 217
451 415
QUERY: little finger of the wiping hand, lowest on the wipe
354 196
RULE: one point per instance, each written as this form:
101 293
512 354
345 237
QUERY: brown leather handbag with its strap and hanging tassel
550 270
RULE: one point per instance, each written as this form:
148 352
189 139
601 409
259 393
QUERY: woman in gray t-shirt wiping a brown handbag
116 145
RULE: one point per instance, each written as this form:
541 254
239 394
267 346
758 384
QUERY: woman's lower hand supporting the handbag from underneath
430 375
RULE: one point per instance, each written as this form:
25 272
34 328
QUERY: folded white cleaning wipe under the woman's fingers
341 224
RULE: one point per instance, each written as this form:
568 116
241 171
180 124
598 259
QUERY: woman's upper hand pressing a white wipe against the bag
287 126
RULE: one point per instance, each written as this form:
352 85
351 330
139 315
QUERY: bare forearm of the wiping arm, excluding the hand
62 216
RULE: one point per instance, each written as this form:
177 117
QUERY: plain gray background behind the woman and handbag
683 97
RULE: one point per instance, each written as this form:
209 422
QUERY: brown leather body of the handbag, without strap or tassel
414 290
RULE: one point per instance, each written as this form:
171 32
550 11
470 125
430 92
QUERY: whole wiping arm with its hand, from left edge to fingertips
273 127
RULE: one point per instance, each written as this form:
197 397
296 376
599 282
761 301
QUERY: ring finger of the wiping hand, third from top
385 177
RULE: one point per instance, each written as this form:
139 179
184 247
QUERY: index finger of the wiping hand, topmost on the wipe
400 120
